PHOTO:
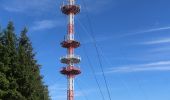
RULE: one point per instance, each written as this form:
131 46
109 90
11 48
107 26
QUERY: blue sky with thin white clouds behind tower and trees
133 38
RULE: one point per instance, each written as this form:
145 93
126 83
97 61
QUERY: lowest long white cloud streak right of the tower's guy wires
155 66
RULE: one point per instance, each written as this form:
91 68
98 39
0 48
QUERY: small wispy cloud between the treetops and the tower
46 24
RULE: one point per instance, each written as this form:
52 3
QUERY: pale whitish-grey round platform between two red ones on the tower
70 59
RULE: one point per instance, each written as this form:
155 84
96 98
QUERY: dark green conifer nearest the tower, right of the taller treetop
31 70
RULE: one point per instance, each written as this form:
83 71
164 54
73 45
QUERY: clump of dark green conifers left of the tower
20 77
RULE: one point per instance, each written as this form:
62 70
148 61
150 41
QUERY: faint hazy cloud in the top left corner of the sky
35 6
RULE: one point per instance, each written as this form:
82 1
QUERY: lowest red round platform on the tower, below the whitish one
70 70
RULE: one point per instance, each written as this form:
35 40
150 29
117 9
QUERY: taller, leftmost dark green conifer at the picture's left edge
9 64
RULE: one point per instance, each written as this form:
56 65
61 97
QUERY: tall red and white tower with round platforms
70 9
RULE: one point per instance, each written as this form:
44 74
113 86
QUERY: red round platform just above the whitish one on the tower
70 43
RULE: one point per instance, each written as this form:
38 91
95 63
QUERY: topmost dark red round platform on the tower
67 9
